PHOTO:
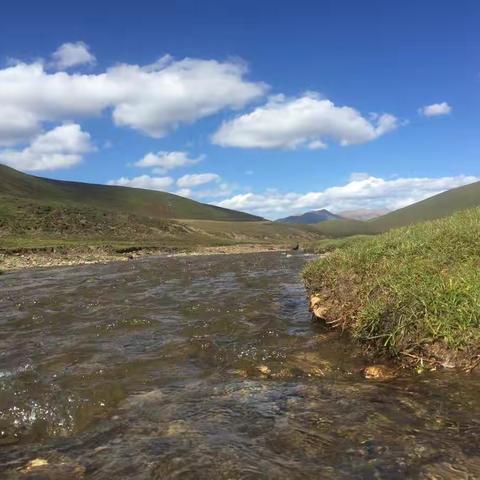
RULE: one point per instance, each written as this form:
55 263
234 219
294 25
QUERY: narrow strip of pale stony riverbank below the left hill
25 258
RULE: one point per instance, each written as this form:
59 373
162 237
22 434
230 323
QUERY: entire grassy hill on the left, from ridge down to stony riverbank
38 212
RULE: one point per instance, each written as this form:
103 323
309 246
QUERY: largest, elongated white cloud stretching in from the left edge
151 98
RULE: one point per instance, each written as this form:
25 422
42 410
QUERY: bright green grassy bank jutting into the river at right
413 292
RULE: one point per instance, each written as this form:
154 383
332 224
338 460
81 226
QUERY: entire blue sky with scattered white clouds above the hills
270 107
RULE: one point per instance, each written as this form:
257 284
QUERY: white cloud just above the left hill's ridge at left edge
62 147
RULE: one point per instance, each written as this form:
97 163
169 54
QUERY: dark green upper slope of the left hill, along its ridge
147 203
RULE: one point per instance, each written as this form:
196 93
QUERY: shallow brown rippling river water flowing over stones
209 367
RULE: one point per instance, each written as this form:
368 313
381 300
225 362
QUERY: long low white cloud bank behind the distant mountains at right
361 191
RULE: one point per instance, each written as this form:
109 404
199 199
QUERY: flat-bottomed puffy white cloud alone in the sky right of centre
304 121
